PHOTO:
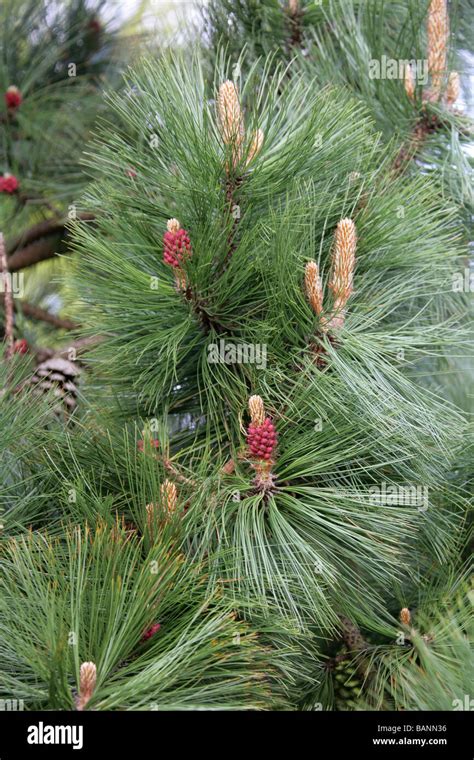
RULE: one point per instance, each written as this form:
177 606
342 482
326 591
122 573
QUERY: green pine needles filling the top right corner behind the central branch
337 42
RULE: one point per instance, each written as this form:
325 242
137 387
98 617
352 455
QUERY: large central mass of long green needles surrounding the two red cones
156 355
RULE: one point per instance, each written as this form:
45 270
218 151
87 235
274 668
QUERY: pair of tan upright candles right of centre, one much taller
341 279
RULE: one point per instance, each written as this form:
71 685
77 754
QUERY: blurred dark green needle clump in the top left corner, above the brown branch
52 59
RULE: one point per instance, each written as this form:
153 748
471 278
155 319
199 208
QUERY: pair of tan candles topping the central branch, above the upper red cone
232 128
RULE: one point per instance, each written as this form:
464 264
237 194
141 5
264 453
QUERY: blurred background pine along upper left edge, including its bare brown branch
54 65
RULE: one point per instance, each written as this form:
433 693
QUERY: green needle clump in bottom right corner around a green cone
425 664
